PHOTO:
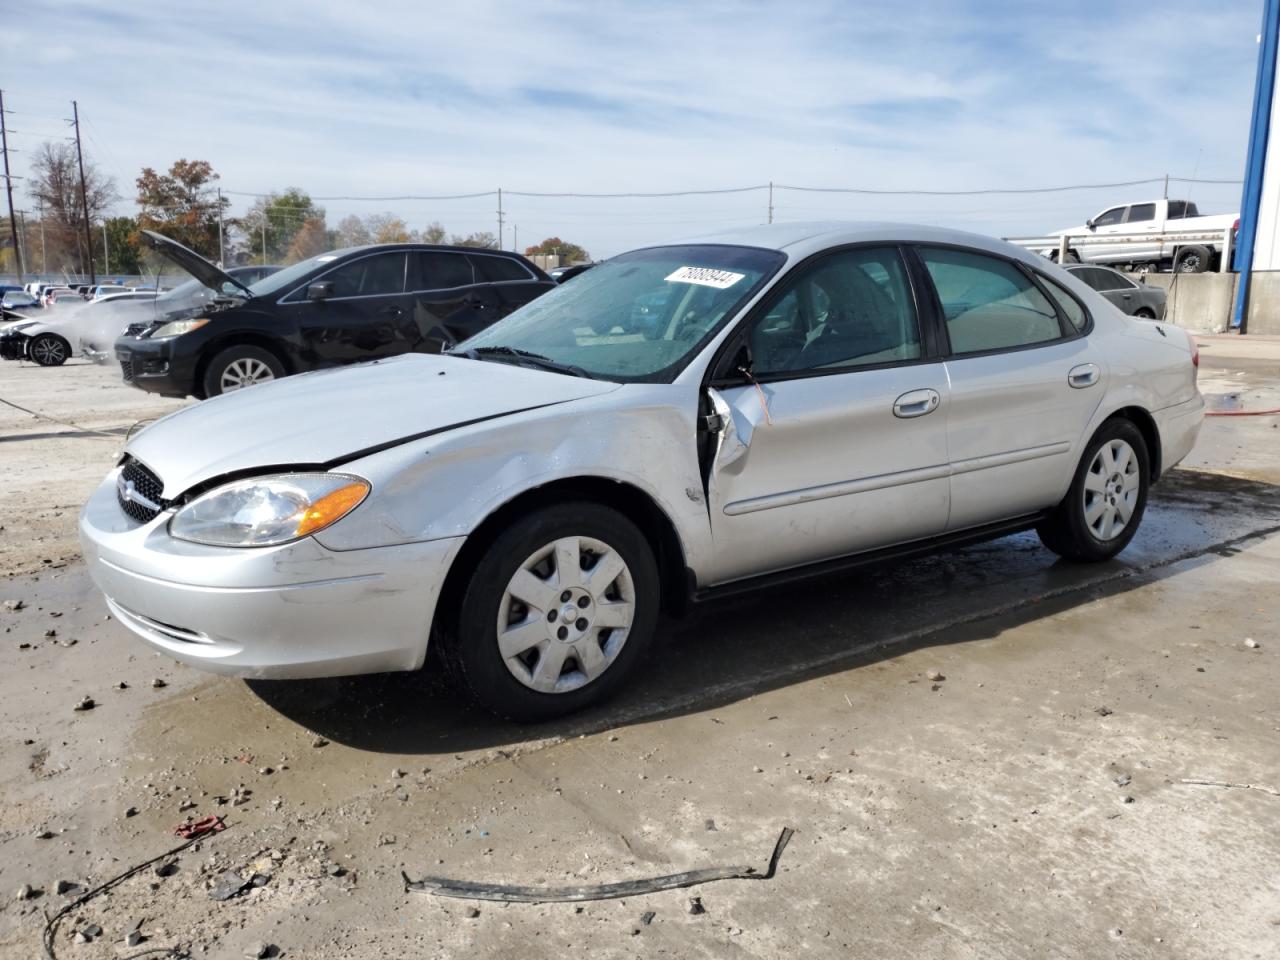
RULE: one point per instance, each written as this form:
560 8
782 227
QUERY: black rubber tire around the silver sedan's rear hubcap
1067 531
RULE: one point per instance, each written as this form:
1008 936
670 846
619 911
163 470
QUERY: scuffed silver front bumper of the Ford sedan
292 611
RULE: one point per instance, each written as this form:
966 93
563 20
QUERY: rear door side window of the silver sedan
989 304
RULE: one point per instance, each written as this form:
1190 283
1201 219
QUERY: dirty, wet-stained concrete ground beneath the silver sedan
1034 802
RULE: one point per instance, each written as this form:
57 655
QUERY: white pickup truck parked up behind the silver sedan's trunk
1150 234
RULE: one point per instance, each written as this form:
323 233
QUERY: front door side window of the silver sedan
848 310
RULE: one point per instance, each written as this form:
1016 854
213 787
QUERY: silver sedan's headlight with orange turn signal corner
266 511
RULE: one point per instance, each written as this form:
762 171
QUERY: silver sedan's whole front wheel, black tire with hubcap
557 615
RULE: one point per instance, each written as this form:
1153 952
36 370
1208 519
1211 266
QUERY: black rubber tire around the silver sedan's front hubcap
469 636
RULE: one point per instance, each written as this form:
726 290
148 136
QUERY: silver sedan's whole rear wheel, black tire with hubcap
1101 513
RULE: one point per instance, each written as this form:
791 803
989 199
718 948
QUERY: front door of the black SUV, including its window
363 313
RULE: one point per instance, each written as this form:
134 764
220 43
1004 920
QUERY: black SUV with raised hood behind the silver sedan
340 308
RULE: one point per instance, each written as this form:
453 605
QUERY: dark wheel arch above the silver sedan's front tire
634 504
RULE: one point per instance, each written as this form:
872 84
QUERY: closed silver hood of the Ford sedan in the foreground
331 417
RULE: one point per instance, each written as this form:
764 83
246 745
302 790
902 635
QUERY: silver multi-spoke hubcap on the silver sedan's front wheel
566 615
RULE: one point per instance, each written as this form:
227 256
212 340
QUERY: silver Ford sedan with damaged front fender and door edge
820 396
